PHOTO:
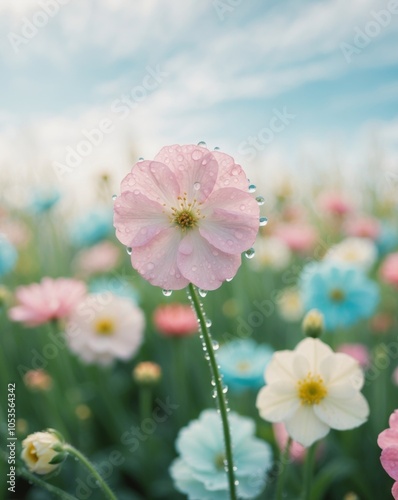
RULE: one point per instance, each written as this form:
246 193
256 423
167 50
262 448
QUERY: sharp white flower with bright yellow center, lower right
311 390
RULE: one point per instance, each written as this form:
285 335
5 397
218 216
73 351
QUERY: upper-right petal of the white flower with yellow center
341 368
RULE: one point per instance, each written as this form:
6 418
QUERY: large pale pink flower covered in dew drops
187 216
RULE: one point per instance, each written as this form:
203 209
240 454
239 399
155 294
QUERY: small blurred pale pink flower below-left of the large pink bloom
100 258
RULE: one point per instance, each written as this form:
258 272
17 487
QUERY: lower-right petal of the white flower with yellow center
341 412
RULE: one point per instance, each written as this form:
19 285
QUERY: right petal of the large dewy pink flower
231 220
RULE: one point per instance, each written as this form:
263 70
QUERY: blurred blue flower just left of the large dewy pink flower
91 228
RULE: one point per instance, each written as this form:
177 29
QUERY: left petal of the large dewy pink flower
138 219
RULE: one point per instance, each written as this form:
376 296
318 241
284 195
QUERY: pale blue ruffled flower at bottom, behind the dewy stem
199 471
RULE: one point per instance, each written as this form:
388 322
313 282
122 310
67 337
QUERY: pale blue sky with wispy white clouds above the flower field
292 84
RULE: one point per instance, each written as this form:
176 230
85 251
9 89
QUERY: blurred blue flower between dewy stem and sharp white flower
243 363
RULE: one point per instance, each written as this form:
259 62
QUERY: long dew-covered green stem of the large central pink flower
222 403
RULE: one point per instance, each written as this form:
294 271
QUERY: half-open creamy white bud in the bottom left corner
42 452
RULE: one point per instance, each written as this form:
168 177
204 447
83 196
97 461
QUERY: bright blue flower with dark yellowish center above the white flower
342 293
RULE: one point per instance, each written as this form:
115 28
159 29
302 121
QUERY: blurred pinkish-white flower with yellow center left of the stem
105 327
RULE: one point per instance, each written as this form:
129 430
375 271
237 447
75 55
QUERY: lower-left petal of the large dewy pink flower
157 260
